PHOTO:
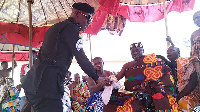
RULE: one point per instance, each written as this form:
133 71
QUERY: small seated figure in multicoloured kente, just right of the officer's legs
79 93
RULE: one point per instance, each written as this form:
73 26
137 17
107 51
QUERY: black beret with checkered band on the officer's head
83 7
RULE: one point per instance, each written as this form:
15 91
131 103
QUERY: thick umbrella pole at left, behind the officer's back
30 32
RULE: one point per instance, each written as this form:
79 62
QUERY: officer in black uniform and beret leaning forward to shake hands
44 82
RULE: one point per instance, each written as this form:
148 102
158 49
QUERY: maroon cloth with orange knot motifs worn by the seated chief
146 76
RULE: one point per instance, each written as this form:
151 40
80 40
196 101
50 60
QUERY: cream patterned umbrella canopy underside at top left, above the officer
43 11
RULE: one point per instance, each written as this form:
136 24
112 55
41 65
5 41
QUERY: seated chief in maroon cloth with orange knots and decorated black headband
146 81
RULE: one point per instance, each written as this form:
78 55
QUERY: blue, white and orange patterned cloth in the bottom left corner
13 103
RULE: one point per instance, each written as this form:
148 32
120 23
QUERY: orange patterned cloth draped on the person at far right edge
185 67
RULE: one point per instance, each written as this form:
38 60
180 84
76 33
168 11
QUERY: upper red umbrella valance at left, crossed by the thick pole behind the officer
18 34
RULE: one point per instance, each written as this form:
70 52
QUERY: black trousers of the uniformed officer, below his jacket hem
42 104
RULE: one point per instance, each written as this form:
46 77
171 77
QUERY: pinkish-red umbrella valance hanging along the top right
134 13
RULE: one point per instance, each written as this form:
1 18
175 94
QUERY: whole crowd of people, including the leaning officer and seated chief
152 82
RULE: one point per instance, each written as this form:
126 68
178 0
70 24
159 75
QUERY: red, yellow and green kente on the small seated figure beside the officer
81 92
